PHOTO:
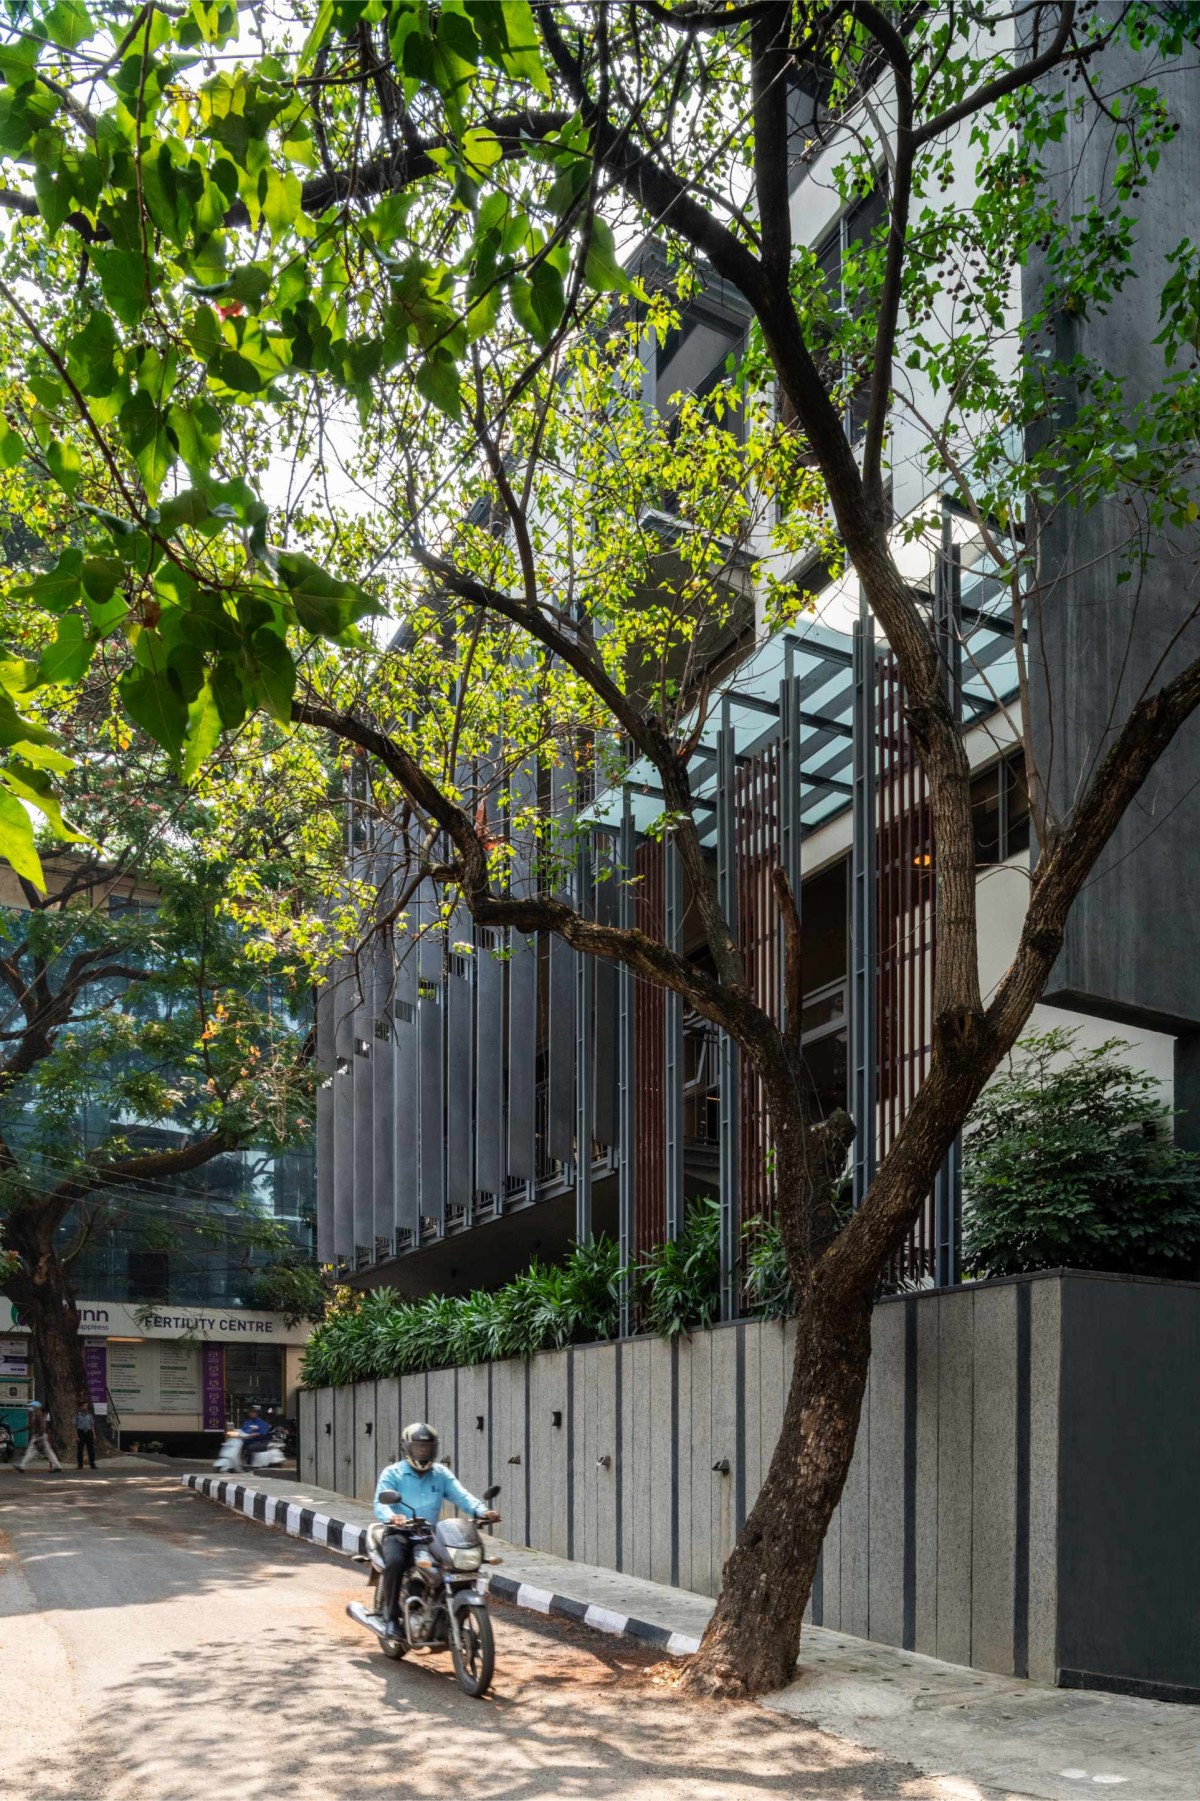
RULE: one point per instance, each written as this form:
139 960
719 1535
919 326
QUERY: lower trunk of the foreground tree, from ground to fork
754 1638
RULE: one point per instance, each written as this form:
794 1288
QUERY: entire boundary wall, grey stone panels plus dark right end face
950 1534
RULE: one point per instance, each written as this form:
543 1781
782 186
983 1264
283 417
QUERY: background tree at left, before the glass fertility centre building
145 1035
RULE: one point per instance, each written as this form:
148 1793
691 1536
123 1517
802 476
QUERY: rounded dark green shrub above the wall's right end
1069 1164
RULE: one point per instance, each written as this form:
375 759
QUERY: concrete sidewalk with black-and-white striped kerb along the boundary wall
977 1732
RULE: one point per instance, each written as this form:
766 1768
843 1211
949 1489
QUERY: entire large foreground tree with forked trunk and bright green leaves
395 244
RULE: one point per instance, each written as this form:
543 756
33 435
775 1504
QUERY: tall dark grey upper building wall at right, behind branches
1095 644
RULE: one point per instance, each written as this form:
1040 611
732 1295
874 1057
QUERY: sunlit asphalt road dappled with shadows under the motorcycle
159 1649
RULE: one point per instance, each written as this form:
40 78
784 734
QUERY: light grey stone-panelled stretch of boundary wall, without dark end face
947 1535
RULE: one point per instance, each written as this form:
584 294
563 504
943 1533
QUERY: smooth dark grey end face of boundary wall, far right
1129 1541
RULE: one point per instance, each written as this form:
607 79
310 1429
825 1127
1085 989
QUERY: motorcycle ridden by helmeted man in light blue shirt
441 1597
